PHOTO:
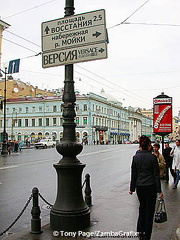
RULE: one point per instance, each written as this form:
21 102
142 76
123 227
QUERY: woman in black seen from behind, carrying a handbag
145 179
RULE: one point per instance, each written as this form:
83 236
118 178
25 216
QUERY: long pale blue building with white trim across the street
98 120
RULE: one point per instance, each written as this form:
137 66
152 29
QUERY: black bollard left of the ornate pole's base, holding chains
35 212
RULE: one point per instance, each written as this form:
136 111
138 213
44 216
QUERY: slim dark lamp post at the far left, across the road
4 150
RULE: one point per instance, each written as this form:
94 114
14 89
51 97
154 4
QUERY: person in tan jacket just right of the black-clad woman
161 160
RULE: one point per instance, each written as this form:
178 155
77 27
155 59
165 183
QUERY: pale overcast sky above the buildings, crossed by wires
143 56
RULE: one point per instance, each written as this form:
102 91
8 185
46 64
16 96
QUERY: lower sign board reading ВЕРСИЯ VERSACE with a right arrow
74 55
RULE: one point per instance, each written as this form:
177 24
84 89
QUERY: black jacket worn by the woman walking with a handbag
145 171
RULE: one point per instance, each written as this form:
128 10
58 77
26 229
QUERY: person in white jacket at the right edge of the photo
175 153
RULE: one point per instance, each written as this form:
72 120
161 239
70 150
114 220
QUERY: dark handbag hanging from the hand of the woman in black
161 214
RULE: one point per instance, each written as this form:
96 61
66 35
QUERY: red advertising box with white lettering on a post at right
162 115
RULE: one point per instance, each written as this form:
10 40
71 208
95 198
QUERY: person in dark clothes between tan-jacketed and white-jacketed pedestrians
168 160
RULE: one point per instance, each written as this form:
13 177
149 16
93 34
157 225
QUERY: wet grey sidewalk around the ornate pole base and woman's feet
116 211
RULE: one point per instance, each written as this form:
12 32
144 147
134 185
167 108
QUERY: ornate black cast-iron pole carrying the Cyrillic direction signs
69 213
